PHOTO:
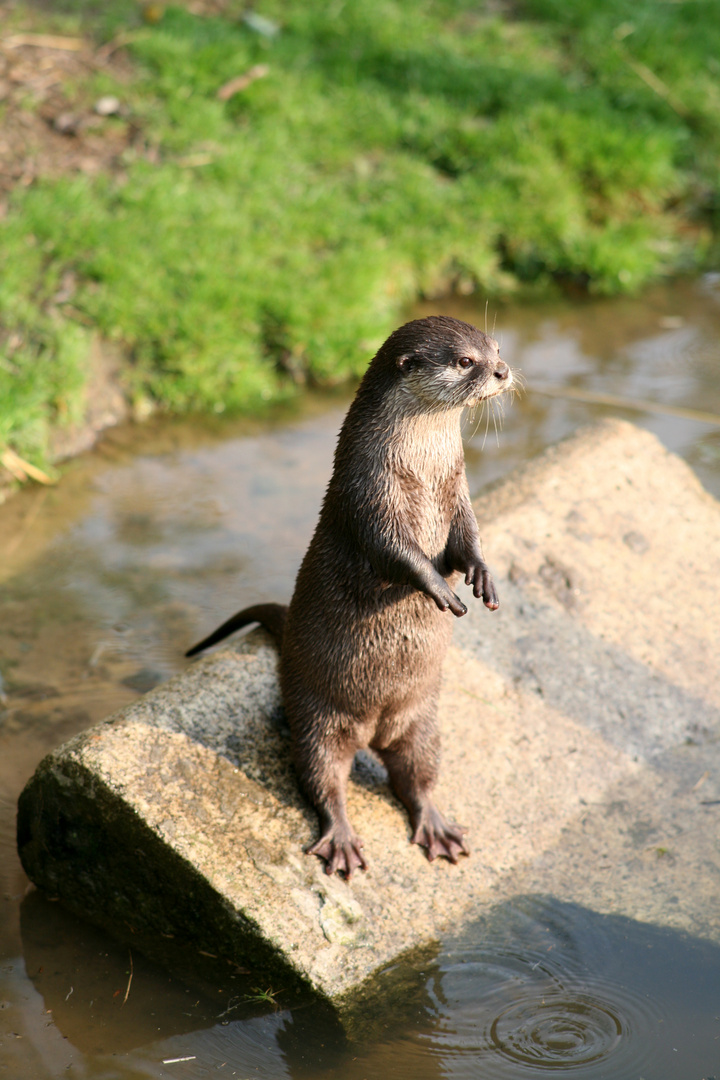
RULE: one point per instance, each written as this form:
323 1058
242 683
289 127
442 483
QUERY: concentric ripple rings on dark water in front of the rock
535 1005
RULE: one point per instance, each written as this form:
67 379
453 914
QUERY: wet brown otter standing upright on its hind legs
363 640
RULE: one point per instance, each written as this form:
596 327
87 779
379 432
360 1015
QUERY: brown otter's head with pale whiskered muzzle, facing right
446 363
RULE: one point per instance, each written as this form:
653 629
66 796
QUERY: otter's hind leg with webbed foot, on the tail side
324 773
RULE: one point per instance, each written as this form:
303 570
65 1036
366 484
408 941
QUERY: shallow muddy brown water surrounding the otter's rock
145 545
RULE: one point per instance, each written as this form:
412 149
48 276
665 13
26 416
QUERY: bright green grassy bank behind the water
379 152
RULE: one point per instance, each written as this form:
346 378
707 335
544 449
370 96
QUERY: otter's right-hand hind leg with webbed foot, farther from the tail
413 765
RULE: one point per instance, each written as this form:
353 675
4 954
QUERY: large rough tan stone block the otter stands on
580 734
